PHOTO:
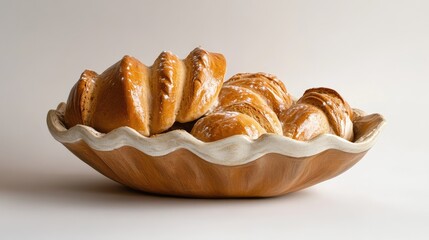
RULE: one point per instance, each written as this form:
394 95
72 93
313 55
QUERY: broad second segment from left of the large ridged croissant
120 96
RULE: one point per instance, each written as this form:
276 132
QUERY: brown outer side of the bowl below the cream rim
182 173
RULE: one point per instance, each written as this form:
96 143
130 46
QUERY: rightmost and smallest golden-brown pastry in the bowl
318 111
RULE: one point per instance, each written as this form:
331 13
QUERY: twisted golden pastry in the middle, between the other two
248 104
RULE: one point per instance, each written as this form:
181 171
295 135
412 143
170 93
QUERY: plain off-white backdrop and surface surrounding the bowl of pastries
375 53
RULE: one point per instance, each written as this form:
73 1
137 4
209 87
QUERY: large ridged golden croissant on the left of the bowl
147 99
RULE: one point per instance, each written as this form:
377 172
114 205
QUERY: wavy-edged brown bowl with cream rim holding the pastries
176 163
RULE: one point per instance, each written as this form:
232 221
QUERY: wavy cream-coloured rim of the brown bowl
231 151
